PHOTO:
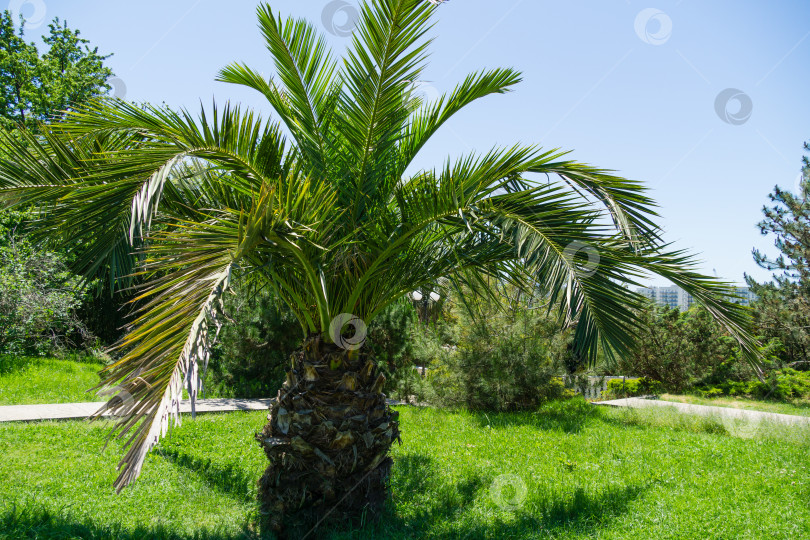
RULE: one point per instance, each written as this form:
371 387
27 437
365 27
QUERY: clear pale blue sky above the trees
625 84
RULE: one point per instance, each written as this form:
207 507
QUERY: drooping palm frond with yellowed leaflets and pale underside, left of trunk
170 339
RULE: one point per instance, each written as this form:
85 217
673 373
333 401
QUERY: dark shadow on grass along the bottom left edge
45 524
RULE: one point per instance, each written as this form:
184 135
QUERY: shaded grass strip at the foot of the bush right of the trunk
569 416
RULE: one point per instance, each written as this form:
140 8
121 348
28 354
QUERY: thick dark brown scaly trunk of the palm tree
327 439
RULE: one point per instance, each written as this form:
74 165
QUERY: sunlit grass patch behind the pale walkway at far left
28 380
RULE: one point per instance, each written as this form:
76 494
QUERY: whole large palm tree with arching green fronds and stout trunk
330 218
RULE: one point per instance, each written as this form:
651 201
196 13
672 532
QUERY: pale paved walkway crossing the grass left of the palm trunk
67 411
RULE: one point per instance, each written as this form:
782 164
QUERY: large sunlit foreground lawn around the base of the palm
571 470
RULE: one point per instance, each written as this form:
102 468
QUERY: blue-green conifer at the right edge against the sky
783 308
